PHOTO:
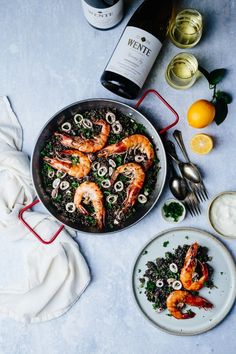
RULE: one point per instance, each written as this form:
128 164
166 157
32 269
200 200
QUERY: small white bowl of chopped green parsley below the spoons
173 211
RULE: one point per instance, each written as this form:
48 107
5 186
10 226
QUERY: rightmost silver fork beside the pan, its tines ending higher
199 187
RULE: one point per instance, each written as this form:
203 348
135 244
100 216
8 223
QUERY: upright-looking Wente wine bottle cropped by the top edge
103 14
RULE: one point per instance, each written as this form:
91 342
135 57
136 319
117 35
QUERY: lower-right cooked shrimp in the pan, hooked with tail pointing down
137 179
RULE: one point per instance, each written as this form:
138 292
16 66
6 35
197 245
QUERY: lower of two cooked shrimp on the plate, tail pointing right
178 298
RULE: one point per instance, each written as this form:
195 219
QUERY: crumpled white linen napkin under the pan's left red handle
37 282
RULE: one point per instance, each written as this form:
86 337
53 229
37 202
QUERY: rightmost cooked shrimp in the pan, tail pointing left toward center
131 142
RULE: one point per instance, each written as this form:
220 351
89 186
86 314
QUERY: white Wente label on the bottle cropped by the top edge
103 18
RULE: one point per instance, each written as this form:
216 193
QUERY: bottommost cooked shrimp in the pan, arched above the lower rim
92 193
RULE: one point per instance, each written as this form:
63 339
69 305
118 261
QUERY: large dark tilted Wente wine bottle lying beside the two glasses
138 48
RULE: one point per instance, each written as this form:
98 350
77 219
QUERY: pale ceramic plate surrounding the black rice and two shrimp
224 277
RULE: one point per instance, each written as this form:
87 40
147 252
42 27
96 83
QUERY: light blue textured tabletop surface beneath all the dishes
50 57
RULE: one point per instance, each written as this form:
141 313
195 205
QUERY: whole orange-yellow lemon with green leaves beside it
201 113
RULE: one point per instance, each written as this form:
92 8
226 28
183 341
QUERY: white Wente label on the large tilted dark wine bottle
134 55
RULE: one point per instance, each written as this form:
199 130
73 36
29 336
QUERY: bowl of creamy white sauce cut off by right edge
223 214
